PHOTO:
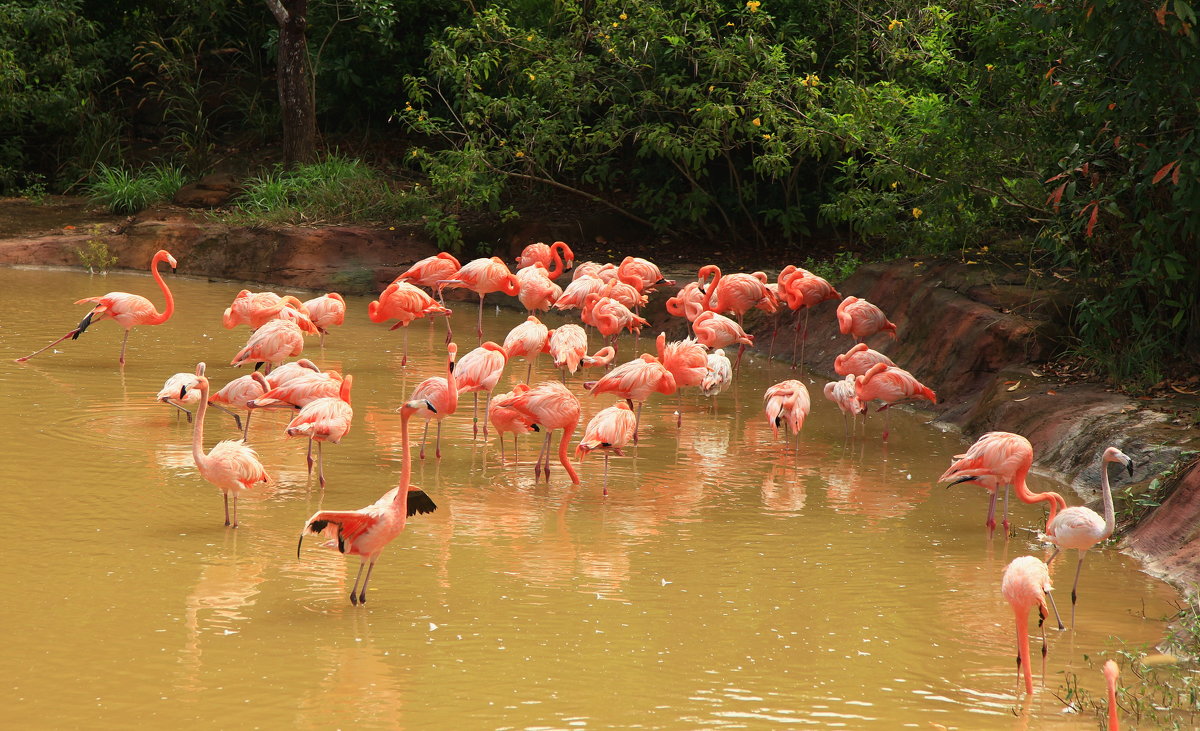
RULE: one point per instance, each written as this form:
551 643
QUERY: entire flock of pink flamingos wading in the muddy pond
609 298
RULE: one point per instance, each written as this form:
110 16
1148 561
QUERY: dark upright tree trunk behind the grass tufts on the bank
297 104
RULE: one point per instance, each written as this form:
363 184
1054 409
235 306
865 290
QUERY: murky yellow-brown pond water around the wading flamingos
729 580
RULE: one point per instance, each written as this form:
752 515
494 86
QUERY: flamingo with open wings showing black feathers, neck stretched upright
368 531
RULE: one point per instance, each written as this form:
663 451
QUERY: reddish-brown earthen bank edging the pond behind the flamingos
979 335
